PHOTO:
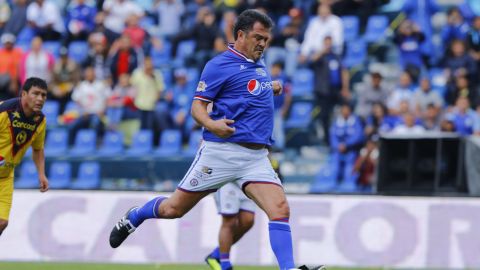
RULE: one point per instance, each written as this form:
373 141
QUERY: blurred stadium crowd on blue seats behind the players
133 65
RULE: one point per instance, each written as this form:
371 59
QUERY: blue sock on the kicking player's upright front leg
281 242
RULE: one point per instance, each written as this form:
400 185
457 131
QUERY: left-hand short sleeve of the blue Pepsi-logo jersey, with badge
210 84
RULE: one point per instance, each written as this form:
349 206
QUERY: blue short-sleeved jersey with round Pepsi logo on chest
240 89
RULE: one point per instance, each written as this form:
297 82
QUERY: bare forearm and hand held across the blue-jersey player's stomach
220 127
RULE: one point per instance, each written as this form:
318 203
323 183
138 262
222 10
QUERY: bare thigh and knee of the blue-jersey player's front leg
270 198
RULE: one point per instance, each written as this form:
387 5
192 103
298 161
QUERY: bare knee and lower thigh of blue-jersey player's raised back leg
180 202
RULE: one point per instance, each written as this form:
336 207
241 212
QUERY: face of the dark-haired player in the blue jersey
256 40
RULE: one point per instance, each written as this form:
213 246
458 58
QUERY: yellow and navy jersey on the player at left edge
17 133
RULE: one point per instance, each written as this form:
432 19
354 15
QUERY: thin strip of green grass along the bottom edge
91 266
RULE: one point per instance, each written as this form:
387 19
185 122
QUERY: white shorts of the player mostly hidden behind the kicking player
228 199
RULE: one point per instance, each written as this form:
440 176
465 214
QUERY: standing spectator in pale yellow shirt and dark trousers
149 85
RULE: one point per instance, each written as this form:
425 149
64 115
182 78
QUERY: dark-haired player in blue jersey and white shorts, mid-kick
236 135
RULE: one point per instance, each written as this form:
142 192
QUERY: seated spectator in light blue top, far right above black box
462 116
